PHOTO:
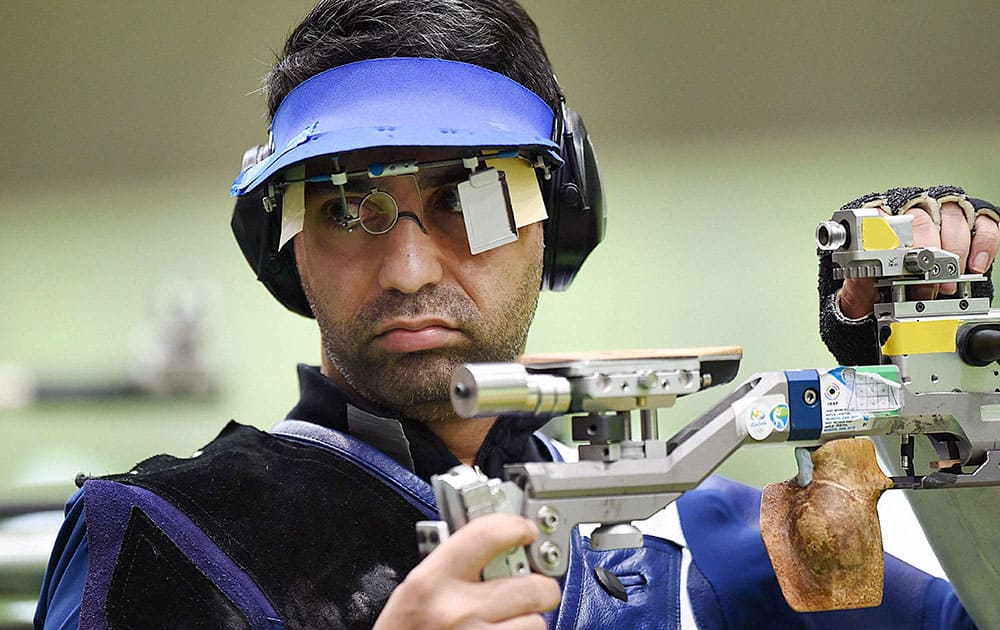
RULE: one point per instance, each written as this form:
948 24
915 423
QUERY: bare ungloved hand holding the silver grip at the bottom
444 591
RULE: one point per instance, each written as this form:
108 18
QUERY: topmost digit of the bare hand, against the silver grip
467 551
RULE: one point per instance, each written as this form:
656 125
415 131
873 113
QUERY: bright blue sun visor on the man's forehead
403 102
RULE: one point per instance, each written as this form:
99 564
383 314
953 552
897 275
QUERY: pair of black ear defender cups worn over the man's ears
574 200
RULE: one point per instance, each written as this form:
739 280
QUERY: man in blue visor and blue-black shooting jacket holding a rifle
425 180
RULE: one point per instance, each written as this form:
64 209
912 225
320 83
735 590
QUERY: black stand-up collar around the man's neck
411 443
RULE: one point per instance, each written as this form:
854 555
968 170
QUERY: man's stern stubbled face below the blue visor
399 311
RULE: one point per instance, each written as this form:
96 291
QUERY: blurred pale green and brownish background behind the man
725 132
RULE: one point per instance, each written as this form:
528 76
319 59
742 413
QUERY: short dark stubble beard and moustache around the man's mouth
416 385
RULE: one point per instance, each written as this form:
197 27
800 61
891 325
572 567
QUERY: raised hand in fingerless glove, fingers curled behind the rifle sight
942 217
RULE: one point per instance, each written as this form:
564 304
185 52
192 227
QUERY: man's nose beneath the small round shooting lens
411 258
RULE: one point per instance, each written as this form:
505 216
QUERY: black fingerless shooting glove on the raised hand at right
853 341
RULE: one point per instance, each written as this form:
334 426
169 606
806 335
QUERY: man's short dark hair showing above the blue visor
494 34
